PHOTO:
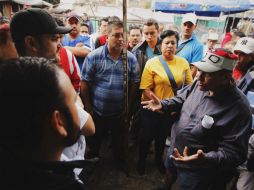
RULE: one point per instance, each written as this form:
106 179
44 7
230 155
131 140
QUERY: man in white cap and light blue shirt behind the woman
189 47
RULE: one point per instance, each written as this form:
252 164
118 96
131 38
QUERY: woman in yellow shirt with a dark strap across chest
155 80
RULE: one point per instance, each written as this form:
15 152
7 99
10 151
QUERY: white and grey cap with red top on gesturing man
216 61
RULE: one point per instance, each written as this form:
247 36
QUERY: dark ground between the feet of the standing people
107 176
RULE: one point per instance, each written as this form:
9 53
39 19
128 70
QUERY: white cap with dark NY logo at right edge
245 45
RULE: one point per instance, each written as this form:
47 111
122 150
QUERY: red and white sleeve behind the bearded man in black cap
70 70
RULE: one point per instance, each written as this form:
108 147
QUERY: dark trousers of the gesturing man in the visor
203 179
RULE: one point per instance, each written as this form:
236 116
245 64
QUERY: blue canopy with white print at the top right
212 8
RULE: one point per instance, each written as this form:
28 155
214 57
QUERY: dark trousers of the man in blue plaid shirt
118 133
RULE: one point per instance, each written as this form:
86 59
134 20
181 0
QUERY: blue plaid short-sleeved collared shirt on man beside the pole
106 79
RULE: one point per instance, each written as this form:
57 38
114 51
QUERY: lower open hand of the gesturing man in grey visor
185 158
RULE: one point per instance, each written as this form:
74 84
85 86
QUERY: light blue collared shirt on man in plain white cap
192 50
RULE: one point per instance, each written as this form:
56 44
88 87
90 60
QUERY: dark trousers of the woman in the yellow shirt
154 126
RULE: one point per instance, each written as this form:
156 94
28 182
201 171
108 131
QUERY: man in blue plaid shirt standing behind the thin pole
102 91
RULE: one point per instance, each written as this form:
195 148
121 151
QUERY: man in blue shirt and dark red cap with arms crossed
77 44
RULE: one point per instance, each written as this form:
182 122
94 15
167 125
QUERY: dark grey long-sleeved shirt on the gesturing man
224 141
